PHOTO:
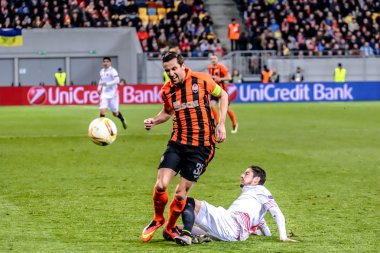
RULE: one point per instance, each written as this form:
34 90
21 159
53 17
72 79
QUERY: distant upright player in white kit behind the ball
108 91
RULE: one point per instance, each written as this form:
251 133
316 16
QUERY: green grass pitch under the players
61 193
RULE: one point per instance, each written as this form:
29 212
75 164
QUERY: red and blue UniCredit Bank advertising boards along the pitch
239 93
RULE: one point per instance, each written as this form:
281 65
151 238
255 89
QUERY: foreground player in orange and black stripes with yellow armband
192 144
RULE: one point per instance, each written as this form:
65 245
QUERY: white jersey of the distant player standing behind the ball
111 78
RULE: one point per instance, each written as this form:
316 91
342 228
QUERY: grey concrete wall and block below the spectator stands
79 52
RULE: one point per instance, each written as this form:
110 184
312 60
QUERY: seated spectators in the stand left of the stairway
160 25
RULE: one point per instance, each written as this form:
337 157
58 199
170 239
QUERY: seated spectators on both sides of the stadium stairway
289 27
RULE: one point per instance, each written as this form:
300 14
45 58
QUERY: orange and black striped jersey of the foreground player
192 124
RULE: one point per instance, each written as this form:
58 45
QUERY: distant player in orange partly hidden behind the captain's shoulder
221 75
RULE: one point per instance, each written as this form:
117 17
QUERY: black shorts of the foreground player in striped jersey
189 161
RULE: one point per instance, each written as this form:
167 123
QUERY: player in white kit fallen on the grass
244 217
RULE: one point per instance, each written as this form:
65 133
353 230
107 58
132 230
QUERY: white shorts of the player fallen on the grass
218 222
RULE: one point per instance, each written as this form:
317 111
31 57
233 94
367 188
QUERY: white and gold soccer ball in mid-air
102 131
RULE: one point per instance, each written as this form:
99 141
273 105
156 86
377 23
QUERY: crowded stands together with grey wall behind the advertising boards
76 34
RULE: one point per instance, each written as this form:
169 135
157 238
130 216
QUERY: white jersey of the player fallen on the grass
250 208
